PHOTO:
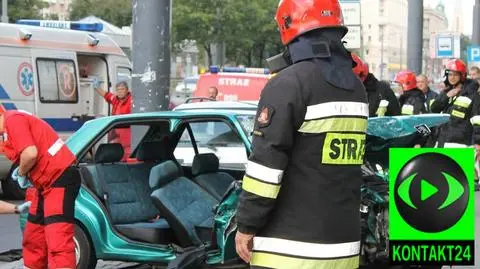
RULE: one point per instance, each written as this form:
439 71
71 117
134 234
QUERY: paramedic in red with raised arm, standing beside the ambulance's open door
121 103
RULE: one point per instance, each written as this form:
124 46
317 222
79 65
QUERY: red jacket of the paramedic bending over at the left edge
23 130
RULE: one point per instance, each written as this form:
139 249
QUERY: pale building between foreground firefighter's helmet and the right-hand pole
384 36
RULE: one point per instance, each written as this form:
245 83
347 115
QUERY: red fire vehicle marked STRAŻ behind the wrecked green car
233 83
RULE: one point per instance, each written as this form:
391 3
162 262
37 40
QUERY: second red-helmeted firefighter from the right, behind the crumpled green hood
412 101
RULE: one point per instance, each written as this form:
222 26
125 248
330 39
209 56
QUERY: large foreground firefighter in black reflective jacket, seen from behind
299 207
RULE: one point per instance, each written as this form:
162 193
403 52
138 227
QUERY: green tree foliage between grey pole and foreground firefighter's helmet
248 30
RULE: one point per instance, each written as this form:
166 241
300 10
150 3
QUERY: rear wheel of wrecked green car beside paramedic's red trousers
84 252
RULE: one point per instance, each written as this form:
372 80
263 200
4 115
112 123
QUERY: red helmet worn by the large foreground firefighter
296 17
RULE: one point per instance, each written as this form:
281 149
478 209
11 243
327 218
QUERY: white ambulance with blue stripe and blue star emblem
47 69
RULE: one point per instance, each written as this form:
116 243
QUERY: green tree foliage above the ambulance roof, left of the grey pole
117 12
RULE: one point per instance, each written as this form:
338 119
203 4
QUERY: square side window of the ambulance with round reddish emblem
57 81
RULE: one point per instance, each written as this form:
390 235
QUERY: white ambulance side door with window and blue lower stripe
56 83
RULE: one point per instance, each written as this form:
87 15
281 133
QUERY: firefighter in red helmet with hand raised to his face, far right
461 100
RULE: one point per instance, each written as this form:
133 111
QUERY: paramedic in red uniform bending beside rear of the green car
44 165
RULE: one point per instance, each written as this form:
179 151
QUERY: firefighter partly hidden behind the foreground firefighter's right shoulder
381 98
